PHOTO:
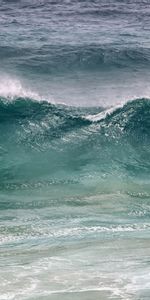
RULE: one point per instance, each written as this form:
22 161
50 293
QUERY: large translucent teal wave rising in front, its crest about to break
53 145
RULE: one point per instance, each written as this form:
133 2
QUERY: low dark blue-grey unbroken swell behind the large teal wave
57 58
